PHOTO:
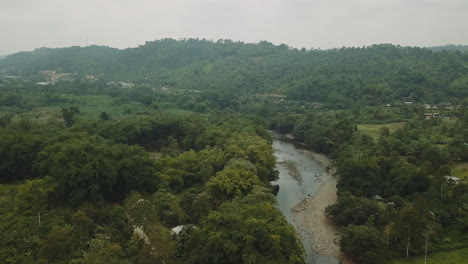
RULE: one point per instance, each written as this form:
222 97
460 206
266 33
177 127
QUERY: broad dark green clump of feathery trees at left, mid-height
91 169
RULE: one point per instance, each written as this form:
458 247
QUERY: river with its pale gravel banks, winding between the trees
301 177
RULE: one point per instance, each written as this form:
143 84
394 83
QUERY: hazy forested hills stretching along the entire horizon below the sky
373 75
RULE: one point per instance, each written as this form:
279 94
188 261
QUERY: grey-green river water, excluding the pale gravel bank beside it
292 191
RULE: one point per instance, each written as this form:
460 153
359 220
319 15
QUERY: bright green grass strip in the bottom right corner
459 256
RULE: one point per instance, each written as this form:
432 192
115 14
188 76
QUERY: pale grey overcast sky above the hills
29 24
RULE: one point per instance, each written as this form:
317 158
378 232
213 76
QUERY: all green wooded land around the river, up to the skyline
103 151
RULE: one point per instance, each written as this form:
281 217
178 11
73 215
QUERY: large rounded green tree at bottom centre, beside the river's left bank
246 230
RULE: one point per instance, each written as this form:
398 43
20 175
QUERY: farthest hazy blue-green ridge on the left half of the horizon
165 53
